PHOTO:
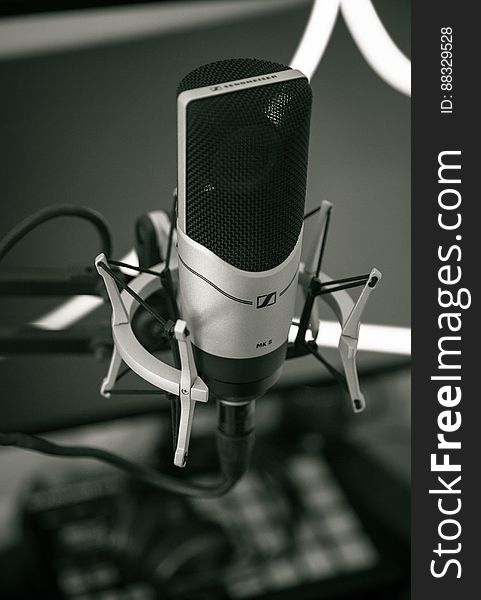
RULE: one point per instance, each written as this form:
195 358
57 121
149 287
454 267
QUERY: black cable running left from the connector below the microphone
140 472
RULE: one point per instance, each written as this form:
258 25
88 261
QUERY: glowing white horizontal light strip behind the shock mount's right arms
372 338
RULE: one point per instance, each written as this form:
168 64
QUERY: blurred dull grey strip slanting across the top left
54 32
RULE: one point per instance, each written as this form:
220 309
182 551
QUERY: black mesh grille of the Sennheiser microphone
246 164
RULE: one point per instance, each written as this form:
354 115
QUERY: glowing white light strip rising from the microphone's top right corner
316 37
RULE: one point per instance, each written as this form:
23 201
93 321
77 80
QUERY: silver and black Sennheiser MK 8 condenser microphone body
243 133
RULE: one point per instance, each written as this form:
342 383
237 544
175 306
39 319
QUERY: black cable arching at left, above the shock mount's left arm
52 212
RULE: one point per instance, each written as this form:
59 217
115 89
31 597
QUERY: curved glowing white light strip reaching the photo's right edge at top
377 47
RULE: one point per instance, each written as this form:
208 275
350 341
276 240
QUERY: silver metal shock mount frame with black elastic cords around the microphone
184 382
